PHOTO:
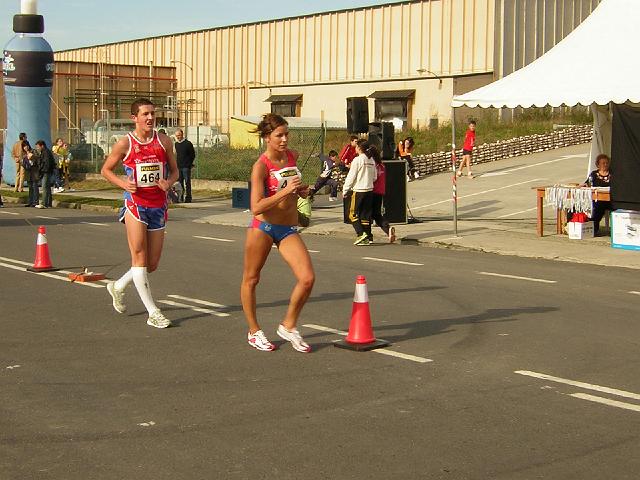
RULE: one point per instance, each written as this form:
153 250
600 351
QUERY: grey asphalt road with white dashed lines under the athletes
501 367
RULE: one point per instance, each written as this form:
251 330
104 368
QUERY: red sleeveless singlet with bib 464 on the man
145 164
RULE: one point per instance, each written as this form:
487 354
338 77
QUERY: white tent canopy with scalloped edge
596 63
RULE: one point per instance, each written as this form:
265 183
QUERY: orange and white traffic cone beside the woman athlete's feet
361 336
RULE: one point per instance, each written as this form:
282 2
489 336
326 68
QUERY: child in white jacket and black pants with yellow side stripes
359 182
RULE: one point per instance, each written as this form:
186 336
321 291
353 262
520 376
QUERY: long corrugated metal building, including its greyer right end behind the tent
409 58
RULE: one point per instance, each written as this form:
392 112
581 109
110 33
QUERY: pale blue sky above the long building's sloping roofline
79 23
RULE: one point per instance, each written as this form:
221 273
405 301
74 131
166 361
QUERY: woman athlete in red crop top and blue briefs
275 222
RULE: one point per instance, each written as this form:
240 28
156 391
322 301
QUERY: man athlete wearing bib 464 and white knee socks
151 169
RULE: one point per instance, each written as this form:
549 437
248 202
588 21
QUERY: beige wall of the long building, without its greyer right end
326 57
